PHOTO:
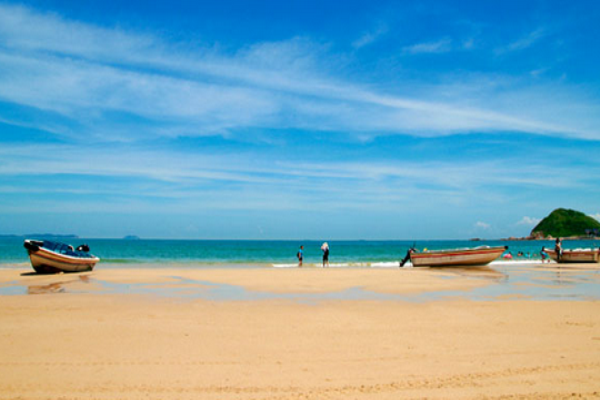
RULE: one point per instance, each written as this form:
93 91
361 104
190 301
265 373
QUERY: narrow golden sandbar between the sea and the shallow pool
268 281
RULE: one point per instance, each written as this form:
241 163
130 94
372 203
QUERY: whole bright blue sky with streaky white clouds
297 120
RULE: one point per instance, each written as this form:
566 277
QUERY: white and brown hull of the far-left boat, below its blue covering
47 261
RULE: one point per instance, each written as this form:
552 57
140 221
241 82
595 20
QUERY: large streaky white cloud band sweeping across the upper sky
85 74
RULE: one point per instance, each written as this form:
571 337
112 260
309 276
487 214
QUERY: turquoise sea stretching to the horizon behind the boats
243 253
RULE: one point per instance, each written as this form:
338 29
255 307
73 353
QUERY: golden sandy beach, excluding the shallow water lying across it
73 338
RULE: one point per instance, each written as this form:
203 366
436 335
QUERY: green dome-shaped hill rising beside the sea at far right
565 223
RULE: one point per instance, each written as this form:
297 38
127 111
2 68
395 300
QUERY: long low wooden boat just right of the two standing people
457 257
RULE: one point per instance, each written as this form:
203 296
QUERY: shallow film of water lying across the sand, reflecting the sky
507 280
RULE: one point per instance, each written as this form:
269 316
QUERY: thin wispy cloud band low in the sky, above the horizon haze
183 173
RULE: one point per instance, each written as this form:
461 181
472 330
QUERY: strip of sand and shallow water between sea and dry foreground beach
500 280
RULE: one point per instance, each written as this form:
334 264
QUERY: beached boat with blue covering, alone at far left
51 257
